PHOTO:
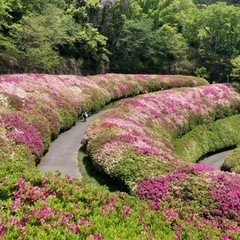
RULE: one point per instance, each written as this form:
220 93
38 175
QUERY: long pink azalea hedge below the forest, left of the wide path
35 108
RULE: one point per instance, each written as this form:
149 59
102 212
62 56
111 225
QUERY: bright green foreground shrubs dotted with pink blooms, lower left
60 208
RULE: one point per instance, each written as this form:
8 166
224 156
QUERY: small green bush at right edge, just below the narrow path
232 161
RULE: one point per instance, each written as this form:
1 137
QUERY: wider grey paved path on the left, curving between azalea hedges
63 152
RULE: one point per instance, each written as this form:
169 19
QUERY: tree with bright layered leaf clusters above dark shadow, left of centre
87 45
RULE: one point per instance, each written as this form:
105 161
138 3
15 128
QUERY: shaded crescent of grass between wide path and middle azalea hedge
92 175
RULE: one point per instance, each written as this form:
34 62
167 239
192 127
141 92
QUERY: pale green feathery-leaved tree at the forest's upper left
37 36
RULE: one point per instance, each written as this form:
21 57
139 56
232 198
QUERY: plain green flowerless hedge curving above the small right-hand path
204 139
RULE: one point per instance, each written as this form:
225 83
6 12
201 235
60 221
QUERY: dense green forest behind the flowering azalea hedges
191 37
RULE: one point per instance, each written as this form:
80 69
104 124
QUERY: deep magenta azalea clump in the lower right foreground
197 194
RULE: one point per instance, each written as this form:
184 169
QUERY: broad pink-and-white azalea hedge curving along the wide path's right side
136 137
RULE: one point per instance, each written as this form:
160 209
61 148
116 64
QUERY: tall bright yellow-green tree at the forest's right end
214 35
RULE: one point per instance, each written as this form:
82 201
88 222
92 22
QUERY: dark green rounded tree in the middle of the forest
141 49
